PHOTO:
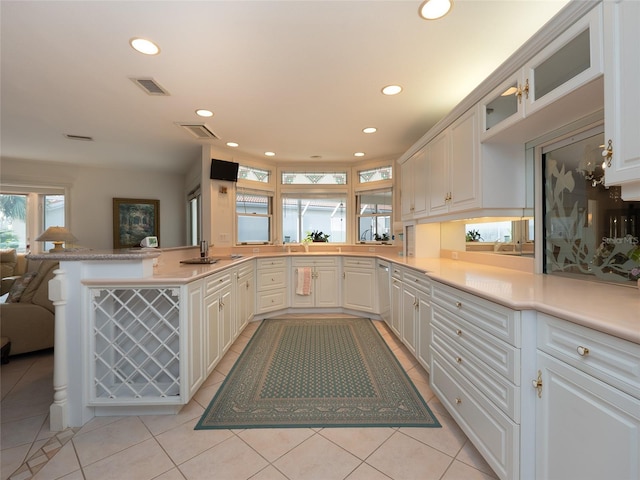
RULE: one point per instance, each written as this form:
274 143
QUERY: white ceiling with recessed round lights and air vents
300 78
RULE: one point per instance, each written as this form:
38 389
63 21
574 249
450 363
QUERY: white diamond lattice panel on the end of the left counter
136 343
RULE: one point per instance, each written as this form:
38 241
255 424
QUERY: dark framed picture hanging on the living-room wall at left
133 220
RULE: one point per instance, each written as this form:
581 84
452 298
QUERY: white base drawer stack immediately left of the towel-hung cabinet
272 277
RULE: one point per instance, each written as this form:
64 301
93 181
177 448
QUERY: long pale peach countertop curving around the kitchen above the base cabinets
612 309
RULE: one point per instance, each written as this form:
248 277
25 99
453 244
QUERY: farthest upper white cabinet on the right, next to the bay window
413 178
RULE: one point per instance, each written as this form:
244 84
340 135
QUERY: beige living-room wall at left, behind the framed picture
92 190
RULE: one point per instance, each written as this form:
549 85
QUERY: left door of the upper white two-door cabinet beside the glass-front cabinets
438 184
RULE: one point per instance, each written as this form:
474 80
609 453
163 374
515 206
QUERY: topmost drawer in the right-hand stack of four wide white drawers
496 319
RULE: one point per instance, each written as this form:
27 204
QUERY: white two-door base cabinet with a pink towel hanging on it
324 287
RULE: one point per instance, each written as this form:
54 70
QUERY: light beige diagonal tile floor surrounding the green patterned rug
166 447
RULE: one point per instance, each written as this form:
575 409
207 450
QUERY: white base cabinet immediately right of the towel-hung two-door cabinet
359 284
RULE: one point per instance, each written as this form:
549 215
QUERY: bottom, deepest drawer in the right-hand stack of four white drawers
493 434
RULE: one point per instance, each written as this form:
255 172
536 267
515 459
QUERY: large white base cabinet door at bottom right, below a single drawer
585 428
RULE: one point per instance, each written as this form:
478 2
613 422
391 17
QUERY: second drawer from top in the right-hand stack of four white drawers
479 345
